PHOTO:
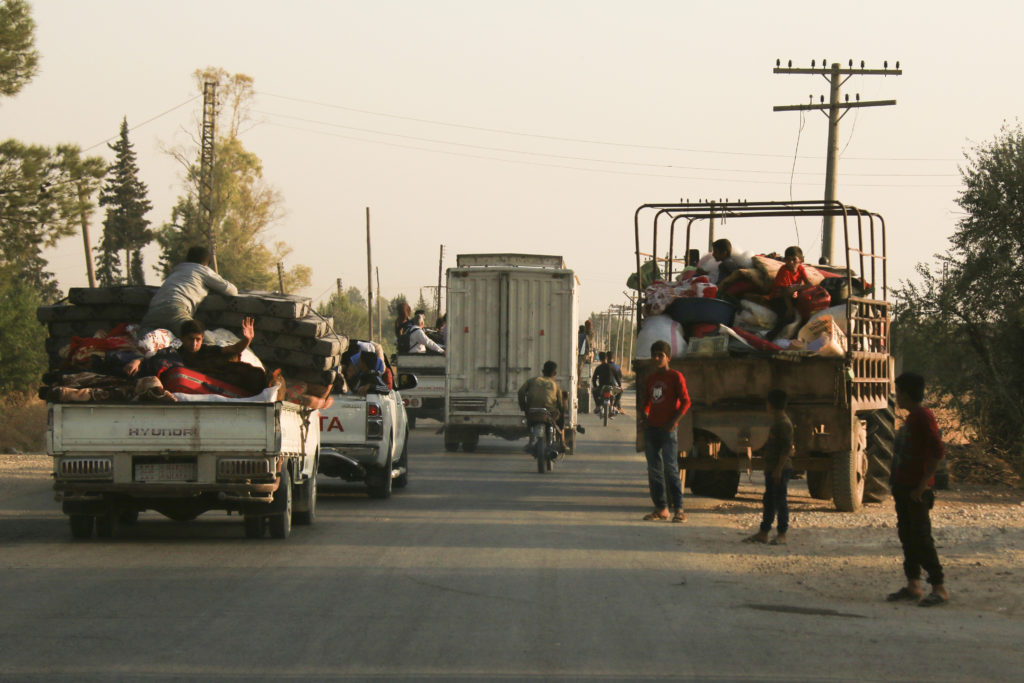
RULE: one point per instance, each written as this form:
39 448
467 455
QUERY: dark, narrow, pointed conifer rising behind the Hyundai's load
125 227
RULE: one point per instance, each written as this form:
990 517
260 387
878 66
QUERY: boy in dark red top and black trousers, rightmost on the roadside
918 454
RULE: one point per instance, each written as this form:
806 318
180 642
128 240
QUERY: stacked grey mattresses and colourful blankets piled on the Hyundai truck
95 334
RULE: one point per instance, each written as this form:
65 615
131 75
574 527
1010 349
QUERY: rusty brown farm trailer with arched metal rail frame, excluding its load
841 408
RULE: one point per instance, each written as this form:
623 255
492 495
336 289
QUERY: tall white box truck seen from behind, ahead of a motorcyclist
507 315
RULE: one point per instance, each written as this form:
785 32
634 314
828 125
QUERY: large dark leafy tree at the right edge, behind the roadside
963 325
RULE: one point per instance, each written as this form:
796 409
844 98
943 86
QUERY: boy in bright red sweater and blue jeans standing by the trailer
665 401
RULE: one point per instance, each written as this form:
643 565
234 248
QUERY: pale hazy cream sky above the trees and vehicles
533 126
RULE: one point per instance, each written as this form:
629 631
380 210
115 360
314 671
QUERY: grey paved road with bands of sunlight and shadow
482 569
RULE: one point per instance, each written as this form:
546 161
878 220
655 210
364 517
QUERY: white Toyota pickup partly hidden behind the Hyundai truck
366 439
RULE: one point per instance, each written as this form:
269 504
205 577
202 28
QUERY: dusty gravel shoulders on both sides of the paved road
979 532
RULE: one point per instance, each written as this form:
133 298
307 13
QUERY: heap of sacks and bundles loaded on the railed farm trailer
700 318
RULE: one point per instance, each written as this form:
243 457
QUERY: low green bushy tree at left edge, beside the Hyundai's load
23 358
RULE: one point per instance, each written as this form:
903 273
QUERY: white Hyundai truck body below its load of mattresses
112 461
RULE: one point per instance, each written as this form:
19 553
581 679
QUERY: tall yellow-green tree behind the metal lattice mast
245 207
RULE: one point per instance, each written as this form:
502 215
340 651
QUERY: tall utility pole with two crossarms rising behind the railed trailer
836 77
